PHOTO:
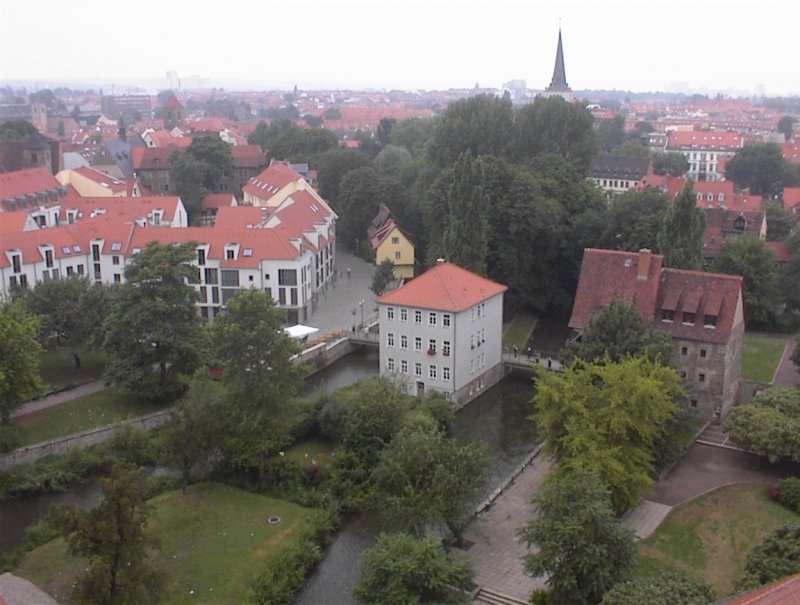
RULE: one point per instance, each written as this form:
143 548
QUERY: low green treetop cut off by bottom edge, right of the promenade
667 588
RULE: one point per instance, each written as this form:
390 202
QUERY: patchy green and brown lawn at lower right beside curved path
710 537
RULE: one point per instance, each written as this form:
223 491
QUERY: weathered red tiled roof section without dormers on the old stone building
608 274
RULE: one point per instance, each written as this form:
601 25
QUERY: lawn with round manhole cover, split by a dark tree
214 541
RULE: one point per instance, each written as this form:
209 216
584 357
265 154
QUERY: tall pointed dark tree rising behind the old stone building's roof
681 237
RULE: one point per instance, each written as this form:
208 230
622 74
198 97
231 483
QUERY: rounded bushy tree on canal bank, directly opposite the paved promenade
425 479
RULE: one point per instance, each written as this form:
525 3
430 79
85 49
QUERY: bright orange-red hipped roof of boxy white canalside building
445 287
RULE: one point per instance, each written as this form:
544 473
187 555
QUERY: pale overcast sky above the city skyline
645 45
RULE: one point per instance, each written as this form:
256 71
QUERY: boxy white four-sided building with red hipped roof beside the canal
442 332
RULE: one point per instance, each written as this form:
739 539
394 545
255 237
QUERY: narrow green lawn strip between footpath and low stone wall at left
99 409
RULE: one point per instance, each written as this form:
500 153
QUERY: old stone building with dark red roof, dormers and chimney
702 313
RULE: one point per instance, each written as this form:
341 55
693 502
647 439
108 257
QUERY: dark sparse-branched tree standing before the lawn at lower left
112 537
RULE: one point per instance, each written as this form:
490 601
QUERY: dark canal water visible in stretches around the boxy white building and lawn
498 418
